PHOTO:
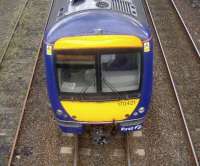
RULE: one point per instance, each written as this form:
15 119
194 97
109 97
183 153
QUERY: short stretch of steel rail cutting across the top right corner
186 28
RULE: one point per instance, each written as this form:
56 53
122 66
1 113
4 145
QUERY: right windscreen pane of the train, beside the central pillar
120 72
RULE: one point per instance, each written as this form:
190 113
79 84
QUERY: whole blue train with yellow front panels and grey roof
99 64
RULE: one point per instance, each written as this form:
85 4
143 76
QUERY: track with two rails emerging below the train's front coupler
123 155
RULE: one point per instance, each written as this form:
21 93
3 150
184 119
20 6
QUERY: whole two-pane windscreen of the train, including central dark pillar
100 73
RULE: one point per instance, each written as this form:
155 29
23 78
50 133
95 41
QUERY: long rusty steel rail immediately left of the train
27 93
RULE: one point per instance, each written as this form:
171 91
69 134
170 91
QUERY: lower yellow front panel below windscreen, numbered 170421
108 111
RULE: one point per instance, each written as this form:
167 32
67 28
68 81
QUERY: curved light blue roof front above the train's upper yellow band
86 22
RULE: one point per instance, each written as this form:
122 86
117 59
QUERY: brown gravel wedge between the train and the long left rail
39 130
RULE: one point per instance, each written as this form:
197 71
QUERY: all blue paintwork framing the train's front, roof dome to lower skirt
84 24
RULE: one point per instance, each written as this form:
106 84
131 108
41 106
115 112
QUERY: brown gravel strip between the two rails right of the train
183 62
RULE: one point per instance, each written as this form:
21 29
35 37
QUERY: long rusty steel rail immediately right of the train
174 87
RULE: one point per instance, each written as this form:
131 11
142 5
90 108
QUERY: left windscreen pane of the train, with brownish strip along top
76 73
